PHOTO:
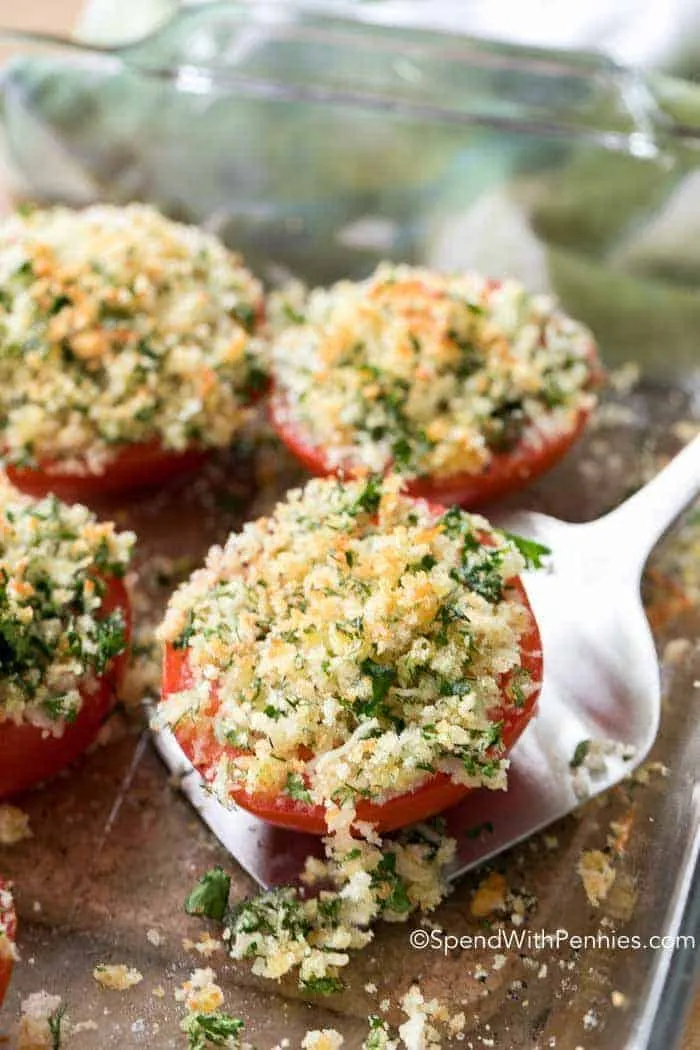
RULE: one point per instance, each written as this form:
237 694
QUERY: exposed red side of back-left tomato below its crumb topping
134 468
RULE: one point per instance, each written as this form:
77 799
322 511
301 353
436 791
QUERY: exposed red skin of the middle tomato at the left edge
28 757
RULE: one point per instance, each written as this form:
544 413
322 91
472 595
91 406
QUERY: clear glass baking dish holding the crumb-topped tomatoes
319 146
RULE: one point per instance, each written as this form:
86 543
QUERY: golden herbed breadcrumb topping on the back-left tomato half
120 327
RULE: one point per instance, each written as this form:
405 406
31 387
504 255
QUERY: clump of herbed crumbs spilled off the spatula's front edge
362 880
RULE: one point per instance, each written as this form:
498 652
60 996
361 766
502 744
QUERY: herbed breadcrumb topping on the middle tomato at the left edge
54 642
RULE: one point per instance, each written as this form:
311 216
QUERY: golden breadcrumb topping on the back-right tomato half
430 374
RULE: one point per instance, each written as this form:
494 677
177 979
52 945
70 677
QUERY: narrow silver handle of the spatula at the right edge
638 526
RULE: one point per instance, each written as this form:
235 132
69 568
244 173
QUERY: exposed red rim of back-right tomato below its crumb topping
507 472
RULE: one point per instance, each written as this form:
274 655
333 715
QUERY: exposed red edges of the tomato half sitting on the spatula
434 795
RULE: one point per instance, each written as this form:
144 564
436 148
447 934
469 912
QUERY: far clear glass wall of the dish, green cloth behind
320 148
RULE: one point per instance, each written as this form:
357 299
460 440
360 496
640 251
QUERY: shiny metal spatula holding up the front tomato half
602 684
